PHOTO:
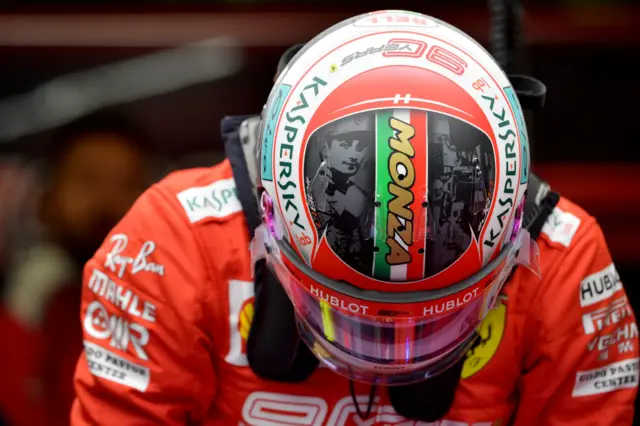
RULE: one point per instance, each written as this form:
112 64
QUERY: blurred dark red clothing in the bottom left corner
37 366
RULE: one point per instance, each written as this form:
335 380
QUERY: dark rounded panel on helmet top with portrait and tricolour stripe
341 179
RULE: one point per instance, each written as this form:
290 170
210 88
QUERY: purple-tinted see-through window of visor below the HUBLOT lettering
383 346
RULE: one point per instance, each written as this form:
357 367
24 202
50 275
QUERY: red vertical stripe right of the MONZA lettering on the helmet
415 269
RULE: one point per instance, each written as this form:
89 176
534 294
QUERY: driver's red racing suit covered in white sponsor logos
167 305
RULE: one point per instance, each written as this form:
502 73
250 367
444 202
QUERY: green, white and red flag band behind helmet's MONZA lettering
413 269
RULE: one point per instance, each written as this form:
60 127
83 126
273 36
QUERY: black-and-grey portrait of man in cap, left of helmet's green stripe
339 182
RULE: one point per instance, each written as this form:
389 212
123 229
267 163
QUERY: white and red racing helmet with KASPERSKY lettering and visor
392 176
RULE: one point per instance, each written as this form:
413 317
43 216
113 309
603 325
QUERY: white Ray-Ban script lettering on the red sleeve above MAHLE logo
117 263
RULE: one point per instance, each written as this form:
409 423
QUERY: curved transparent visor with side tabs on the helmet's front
389 350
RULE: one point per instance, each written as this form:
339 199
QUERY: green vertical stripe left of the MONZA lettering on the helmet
382 270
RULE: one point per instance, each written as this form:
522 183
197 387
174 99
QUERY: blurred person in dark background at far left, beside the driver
94 174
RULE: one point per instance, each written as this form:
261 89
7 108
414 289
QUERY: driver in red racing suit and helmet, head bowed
183 324
